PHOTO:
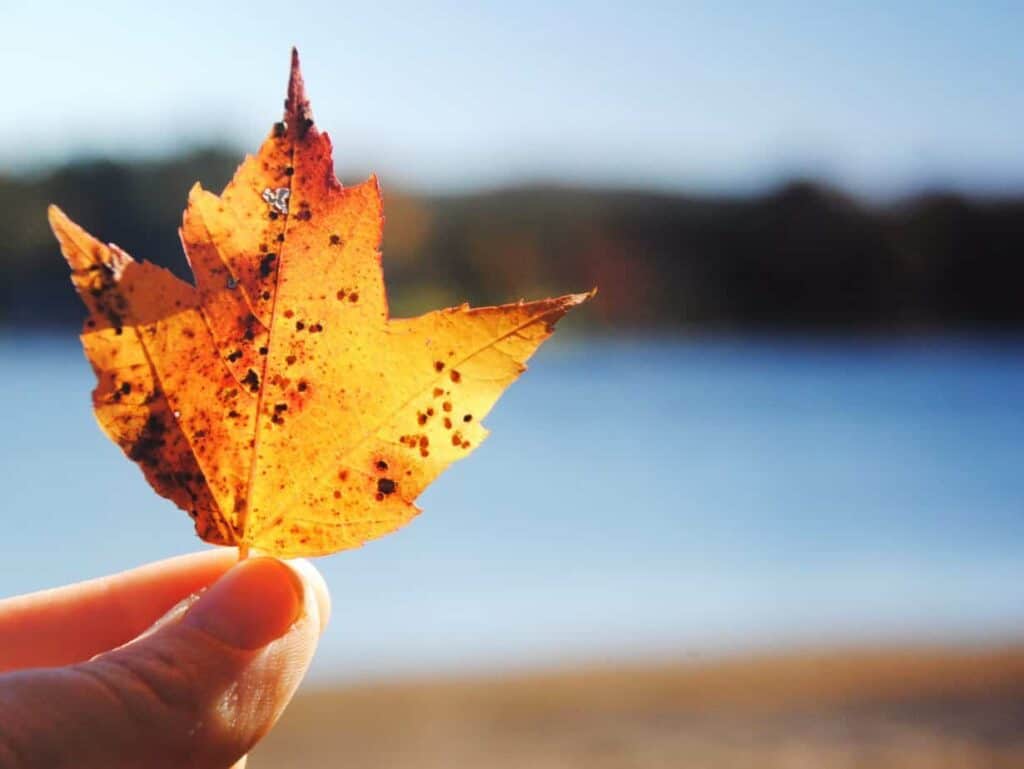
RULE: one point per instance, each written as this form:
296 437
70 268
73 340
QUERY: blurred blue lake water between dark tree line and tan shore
637 498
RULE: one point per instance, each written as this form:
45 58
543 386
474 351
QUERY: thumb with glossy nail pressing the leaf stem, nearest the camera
198 690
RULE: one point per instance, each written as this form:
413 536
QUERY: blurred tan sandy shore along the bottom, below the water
905 709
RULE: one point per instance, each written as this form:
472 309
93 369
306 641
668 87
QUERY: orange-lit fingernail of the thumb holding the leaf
250 607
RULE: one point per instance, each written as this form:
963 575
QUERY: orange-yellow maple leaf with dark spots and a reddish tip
276 401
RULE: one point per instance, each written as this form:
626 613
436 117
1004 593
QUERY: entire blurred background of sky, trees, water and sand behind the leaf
760 504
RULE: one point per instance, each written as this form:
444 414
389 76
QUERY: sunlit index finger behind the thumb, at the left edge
75 623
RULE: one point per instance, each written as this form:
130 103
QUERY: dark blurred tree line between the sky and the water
802 257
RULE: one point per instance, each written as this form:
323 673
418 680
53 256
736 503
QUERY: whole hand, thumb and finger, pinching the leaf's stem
137 670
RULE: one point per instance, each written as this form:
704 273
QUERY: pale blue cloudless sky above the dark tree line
883 99
